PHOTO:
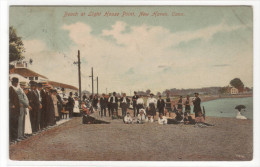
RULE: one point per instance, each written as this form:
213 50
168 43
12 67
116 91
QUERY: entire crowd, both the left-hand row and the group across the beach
35 107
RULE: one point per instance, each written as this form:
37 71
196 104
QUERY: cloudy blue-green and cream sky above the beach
207 46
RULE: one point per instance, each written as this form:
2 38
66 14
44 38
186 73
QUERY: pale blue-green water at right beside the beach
226 107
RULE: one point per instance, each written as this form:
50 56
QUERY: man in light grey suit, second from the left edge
24 103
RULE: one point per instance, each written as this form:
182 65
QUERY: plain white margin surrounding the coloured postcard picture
4 22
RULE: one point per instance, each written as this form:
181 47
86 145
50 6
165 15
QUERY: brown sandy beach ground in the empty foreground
230 139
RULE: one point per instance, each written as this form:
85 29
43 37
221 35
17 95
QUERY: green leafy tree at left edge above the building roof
16 47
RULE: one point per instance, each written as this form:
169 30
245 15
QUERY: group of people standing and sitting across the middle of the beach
108 105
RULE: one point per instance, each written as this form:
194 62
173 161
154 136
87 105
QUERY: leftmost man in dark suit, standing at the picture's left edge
14 110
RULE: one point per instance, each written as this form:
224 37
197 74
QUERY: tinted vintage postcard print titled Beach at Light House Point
131 83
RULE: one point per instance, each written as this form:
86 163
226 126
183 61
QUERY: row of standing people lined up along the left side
35 107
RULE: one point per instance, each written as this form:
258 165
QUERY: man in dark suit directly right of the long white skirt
35 105
